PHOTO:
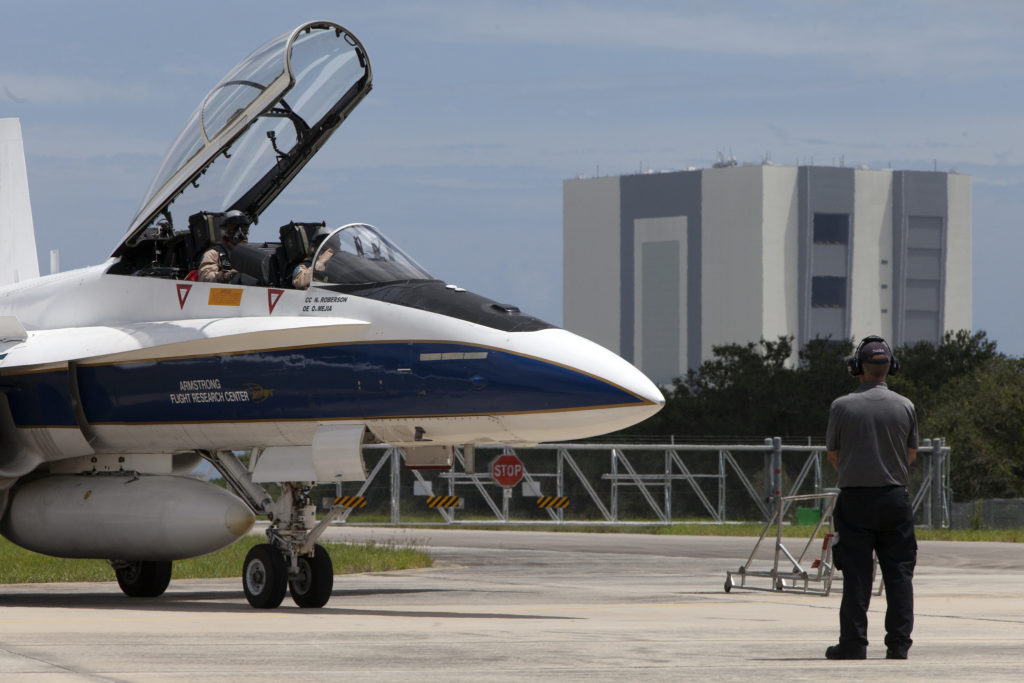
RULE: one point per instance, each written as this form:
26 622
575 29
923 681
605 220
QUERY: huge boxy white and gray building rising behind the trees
663 267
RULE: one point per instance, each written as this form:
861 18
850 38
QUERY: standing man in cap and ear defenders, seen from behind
872 440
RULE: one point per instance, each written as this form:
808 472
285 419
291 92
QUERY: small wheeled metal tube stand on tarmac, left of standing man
816 579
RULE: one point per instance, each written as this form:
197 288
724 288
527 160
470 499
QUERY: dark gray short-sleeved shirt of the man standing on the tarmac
872 429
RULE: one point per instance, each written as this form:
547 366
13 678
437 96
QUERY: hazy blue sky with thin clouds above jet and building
482 109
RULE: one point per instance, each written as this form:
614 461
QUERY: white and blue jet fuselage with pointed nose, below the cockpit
172 380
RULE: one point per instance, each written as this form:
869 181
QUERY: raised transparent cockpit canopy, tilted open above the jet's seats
260 126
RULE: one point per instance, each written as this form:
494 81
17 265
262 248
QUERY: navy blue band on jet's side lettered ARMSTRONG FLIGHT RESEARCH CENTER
364 381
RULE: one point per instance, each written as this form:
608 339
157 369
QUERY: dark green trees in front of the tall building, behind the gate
964 389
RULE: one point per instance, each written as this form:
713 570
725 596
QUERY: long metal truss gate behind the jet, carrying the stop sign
625 484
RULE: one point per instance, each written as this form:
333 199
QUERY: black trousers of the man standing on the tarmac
881 521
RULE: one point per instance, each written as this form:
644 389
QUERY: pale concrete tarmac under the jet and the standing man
516 606
